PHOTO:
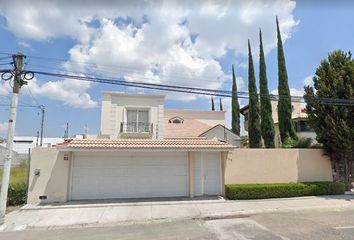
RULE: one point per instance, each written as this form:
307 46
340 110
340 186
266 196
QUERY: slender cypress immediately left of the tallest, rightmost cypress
267 124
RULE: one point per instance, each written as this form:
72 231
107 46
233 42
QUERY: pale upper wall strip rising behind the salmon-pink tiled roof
211 118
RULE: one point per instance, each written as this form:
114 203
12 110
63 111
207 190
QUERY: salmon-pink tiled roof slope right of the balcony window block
189 128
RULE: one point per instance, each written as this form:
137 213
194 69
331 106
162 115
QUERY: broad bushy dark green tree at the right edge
333 121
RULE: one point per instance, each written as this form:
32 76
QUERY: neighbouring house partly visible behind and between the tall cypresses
299 117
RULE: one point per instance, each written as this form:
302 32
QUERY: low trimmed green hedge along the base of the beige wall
281 190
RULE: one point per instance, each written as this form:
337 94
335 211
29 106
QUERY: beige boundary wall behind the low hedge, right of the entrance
277 165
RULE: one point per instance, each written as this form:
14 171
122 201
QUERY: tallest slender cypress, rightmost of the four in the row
286 127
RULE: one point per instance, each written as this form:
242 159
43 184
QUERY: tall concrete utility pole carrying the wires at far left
18 82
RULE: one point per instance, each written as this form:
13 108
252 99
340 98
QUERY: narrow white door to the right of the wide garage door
207 174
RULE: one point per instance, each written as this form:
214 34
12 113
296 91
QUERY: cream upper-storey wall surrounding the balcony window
113 112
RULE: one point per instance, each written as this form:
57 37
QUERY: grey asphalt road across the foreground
327 224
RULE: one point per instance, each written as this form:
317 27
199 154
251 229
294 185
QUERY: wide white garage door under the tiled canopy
127 176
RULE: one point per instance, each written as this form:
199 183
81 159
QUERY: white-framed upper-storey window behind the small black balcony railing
137 121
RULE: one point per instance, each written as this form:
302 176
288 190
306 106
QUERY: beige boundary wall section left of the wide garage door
53 179
